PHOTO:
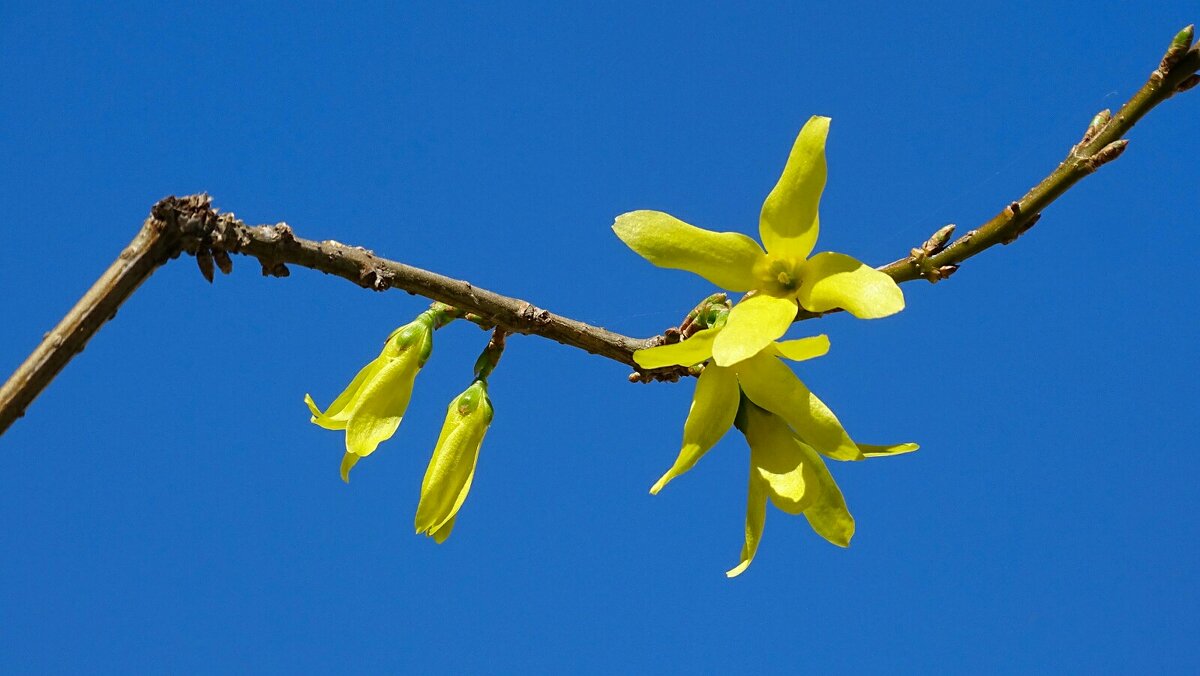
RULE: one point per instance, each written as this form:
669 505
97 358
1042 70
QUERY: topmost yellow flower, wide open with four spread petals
783 278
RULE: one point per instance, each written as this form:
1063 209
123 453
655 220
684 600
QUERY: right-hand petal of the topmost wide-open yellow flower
835 280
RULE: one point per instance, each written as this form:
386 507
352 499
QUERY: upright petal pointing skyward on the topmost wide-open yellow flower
789 220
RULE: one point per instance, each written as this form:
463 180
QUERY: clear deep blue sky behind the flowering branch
169 507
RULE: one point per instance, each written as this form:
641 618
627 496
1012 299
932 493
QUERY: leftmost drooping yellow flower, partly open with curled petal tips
374 404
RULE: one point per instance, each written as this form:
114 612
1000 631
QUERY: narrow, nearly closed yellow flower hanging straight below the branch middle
453 465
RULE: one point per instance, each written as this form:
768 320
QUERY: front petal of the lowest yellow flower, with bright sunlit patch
790 475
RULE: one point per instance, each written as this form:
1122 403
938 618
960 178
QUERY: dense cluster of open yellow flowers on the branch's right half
743 381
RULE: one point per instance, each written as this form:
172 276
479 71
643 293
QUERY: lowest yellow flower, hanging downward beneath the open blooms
789 474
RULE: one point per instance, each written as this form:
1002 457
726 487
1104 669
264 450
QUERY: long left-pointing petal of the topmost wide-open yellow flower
724 259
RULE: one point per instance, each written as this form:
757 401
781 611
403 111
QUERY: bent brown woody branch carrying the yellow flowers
191 225
